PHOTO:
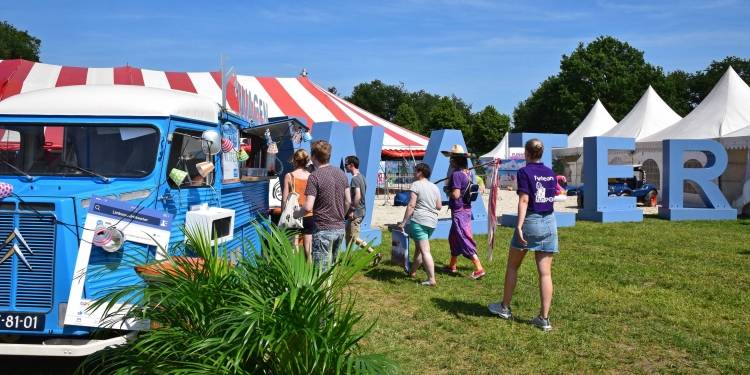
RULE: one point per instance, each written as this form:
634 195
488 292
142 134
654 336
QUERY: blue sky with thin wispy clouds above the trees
488 52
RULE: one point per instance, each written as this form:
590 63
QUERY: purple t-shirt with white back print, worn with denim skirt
538 181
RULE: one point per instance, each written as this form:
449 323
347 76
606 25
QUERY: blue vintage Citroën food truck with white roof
92 176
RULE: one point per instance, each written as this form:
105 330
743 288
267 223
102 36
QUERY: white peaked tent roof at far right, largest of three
724 111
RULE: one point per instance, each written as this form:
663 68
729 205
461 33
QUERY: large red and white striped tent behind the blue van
299 97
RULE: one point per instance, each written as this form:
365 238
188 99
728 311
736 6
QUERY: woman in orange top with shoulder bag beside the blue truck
296 181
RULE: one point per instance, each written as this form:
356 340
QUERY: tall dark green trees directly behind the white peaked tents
617 73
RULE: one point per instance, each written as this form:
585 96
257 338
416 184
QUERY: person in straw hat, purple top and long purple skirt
460 237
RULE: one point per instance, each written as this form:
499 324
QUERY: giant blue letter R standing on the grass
675 173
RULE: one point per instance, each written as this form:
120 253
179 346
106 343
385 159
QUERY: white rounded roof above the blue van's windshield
112 100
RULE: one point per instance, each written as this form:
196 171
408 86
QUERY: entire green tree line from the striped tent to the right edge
606 69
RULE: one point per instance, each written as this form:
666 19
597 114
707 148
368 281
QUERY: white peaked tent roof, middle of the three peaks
650 115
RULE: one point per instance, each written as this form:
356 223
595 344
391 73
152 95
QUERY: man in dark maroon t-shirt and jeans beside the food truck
327 197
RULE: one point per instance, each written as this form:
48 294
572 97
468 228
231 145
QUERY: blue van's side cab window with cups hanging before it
187 161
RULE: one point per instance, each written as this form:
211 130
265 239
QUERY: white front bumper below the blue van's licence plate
59 347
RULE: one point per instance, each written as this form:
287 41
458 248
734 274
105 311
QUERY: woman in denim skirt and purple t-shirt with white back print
536 231
